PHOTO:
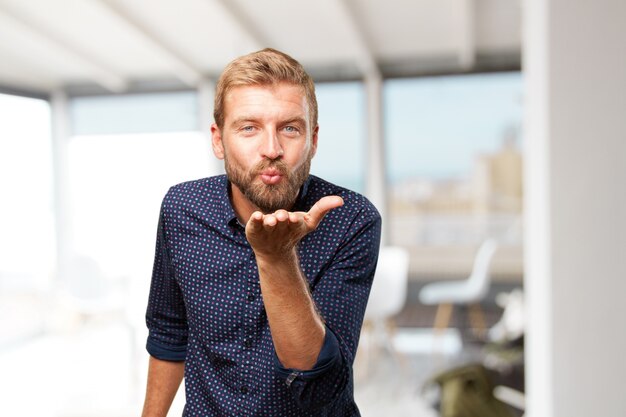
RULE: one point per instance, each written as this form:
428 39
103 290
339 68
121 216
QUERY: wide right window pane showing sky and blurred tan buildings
455 169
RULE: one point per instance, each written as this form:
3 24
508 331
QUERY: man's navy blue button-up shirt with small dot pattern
206 307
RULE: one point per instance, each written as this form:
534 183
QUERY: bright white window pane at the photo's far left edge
26 216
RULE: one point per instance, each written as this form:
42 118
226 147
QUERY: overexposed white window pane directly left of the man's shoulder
117 183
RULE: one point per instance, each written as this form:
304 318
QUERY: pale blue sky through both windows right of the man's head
433 126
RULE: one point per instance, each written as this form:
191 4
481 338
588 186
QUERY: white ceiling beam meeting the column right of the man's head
365 56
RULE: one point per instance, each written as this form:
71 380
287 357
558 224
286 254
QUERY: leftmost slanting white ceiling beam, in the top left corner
98 71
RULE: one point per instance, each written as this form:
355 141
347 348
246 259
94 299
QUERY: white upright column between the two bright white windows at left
62 214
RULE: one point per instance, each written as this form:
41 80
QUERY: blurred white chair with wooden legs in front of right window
466 292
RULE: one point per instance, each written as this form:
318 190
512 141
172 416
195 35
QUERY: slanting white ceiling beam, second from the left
183 69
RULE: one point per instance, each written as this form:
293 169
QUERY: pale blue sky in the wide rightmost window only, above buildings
434 126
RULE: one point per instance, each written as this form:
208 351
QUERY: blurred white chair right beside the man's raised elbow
386 300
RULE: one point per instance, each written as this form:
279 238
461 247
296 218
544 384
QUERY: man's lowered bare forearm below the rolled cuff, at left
164 378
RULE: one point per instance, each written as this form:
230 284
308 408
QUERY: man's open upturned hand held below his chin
274 235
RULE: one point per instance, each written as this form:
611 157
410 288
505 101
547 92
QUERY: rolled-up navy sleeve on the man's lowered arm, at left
166 315
